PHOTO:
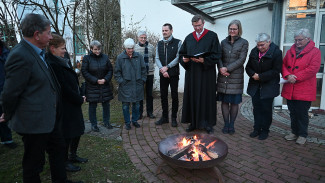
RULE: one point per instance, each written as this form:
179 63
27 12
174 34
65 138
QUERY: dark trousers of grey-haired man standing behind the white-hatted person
149 98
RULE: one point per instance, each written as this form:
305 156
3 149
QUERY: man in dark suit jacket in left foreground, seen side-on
30 101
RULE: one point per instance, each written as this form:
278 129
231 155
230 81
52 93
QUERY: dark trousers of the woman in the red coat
299 116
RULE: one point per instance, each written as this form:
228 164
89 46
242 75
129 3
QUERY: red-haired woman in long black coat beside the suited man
72 119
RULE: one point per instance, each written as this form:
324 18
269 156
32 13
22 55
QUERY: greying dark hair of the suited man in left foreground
34 22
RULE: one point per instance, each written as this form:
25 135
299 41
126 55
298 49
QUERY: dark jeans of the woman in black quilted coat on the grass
92 113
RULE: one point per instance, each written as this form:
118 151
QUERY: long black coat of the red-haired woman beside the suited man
72 118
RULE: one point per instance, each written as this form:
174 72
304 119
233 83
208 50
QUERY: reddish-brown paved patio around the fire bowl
248 160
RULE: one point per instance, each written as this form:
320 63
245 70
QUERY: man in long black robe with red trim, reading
200 52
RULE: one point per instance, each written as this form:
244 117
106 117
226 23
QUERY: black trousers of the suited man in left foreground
35 146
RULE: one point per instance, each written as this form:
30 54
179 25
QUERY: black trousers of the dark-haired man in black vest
164 84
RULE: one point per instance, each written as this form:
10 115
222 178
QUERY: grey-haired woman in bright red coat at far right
300 66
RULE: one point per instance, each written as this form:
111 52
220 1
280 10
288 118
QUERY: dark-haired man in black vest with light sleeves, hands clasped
167 60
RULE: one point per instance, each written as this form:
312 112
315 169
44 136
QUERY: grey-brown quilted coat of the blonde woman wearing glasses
233 58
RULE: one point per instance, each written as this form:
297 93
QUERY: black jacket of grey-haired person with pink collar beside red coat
268 69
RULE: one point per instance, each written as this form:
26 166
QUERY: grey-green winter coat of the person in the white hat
131 75
